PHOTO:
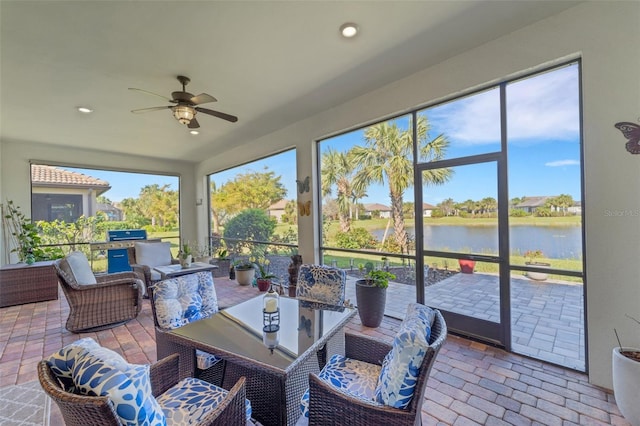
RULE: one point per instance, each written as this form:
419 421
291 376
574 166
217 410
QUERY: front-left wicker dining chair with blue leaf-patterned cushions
93 385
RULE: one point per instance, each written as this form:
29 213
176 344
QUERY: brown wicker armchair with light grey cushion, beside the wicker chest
113 300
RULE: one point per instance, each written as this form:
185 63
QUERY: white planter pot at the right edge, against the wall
626 385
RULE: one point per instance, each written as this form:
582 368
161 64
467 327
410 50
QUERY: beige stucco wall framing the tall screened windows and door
606 36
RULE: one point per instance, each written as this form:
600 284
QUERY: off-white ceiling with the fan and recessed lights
269 63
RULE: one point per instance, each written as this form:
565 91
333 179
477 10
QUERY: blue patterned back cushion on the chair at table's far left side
181 300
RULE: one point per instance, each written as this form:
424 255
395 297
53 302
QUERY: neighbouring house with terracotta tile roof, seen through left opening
60 194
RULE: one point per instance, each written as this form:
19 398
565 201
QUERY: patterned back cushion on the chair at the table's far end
319 283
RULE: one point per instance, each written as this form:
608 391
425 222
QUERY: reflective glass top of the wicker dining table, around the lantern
240 330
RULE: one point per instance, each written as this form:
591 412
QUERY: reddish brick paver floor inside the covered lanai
471 383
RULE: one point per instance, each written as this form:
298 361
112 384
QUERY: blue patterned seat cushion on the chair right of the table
357 378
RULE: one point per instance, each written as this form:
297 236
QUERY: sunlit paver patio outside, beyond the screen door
547 317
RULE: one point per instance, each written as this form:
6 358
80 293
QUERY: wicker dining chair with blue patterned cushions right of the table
377 383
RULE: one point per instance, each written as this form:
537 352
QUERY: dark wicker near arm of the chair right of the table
329 405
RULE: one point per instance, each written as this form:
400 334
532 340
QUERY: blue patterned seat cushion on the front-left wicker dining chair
191 399
